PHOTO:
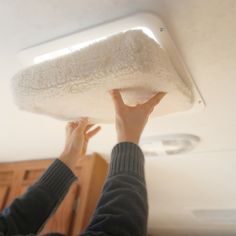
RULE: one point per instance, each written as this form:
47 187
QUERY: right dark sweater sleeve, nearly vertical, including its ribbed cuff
122 209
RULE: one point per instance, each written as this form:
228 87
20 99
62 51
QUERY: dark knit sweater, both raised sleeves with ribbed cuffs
122 209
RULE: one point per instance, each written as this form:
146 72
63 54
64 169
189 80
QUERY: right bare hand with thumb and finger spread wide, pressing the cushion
130 121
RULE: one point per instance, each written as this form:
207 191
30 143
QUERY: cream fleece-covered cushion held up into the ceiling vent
76 85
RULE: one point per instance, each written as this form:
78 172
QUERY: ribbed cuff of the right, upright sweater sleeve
127 157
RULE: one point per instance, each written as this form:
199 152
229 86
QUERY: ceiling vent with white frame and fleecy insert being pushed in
69 78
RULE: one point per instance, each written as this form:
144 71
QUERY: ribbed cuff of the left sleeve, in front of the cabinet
57 178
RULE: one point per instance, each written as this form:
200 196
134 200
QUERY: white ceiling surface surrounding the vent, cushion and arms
204 32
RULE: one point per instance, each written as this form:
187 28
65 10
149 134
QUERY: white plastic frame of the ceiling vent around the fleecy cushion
139 20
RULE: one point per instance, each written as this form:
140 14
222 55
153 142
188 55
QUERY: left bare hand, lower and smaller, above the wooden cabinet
77 138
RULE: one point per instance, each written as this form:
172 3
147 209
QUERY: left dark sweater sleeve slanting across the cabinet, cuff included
28 213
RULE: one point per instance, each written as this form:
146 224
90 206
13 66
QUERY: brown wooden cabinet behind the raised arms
75 212
